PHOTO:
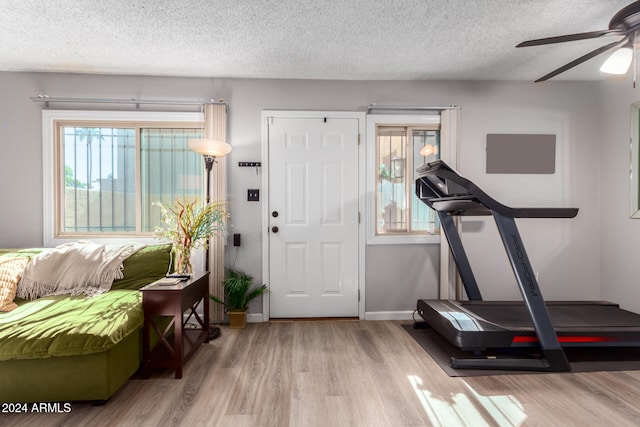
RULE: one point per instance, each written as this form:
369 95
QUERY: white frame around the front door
361 117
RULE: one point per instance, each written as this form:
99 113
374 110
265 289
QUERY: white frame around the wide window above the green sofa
52 122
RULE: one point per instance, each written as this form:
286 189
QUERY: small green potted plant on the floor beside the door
239 291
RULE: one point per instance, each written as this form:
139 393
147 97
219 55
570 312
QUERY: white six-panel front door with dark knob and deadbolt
313 217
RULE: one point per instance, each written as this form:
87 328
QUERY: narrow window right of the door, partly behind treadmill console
397 146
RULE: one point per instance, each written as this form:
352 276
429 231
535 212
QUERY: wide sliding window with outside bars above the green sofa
107 174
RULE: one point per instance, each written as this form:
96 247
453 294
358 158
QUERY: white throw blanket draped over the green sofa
74 268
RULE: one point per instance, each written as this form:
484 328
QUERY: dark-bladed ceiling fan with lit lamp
624 23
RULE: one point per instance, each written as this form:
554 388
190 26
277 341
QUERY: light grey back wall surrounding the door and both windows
564 252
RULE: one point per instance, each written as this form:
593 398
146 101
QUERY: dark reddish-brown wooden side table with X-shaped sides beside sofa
177 341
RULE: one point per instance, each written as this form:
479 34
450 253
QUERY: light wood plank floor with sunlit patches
347 373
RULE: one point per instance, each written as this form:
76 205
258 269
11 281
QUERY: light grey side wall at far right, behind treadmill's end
620 234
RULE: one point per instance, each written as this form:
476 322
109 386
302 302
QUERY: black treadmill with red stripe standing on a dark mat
479 326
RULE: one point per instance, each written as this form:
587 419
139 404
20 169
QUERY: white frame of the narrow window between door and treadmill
404 120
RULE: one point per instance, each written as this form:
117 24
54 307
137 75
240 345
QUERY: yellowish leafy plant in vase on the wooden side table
188 225
